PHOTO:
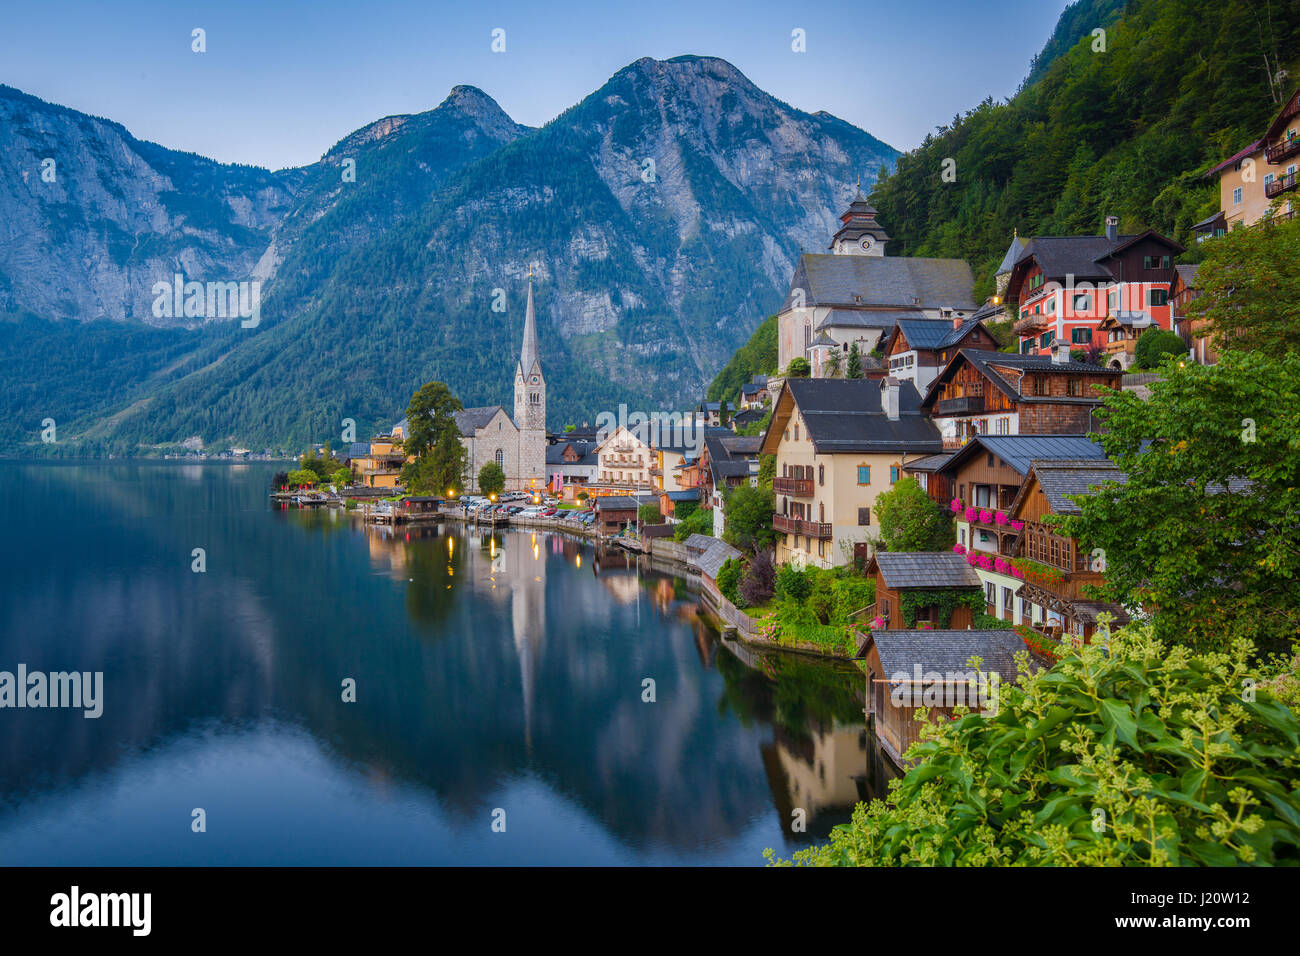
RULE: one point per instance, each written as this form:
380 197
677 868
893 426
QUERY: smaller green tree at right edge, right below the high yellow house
1250 289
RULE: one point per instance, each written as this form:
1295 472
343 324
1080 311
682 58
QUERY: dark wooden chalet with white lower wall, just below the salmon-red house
1003 393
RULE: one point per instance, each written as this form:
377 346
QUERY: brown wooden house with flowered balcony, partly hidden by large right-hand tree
1054 570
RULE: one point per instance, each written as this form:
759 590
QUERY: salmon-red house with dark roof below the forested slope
1064 287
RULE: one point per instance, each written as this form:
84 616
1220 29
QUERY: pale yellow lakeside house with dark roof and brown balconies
839 444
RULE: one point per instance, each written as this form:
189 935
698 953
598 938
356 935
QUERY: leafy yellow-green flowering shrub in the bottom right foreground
1151 755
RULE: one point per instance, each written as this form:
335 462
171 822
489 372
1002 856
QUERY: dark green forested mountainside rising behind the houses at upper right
1129 131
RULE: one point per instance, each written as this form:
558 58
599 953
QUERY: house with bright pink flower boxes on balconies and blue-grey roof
985 478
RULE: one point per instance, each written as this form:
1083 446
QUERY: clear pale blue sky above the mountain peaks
281 83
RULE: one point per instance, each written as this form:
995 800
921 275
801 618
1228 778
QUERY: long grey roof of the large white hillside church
903 282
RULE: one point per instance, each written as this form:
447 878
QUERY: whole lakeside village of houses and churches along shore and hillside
892 386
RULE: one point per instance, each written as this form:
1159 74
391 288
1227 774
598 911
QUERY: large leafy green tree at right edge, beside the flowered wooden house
1204 529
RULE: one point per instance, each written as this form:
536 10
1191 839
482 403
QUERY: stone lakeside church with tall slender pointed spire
517 444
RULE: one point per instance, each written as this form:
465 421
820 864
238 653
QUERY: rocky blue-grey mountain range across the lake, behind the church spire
661 218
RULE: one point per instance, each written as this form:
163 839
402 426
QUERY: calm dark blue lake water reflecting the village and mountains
492 673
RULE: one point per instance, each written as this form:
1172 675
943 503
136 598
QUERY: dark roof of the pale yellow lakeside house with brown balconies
846 416
